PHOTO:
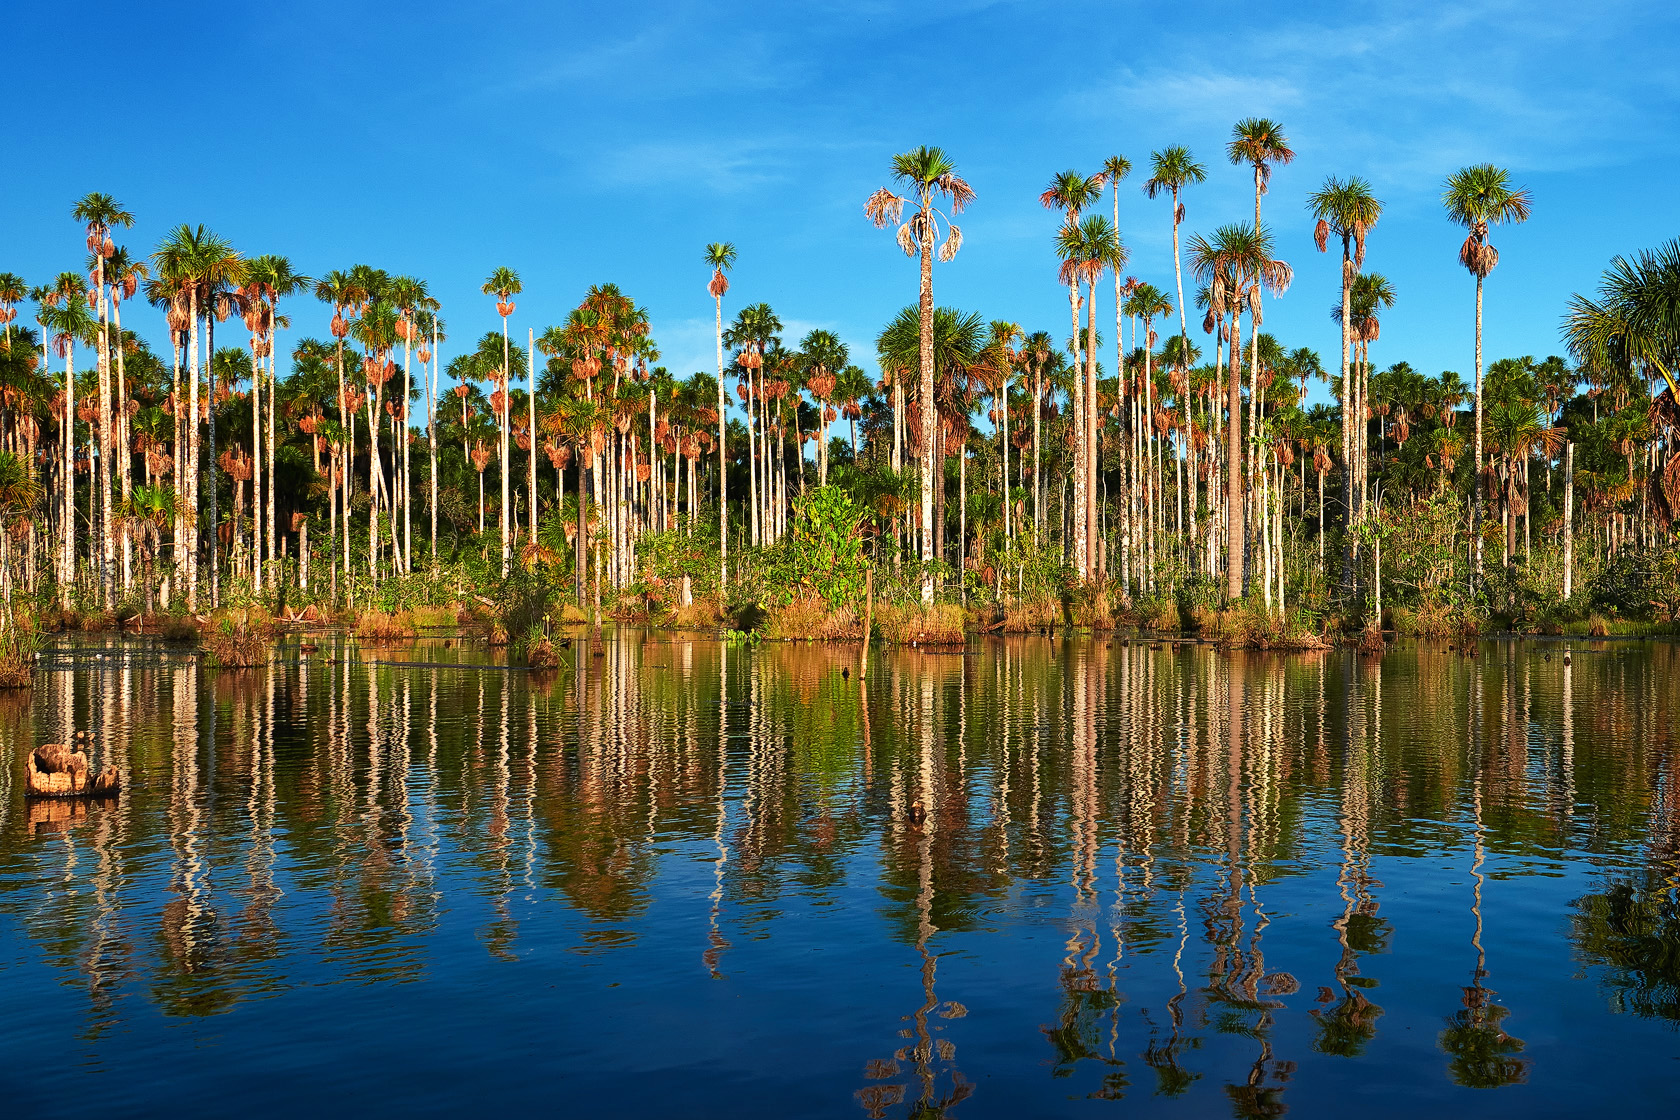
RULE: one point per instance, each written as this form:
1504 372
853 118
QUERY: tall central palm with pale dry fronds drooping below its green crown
928 174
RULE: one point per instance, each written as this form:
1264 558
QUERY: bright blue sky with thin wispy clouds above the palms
591 144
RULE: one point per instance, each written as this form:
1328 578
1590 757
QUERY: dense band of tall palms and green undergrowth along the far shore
1157 476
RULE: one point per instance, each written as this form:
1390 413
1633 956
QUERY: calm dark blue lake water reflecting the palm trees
693 881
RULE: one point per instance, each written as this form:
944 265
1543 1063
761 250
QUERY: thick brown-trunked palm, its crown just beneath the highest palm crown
1236 264
